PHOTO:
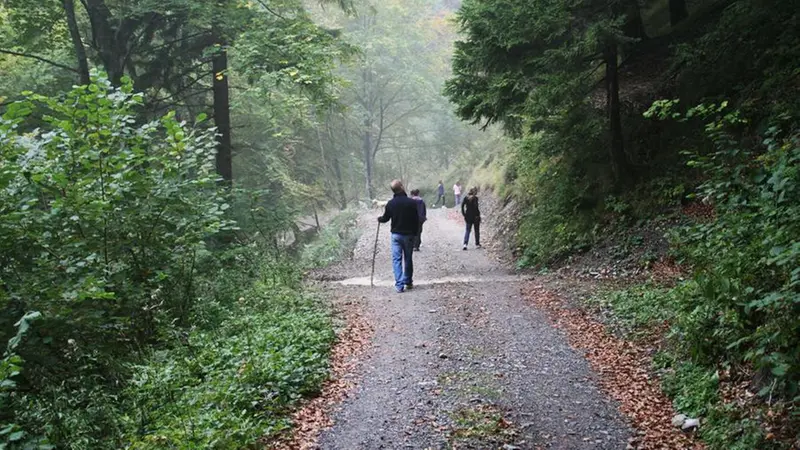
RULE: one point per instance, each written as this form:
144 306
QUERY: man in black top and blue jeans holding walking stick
402 211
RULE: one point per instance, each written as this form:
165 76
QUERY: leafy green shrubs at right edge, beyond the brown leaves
740 309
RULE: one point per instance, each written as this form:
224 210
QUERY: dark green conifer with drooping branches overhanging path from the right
525 64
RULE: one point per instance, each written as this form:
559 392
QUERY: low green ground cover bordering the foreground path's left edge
231 385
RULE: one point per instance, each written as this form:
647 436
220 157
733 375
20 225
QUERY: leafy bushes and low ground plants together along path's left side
155 330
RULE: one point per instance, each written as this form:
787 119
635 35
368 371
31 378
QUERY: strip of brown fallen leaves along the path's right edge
624 373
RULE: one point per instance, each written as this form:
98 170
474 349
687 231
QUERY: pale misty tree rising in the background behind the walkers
392 83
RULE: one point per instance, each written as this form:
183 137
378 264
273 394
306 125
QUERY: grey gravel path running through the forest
461 361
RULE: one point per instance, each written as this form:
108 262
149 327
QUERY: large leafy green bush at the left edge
101 223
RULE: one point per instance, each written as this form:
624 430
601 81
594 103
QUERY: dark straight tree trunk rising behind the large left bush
222 114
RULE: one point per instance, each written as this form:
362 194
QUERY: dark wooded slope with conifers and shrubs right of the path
654 116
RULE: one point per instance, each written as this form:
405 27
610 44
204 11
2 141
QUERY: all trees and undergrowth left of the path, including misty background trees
154 159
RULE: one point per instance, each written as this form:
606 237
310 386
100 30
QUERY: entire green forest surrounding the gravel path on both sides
172 170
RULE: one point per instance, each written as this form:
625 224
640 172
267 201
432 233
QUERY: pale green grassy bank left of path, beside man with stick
334 242
